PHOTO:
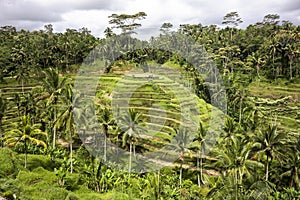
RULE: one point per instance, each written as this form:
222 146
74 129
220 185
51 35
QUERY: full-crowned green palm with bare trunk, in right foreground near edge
269 142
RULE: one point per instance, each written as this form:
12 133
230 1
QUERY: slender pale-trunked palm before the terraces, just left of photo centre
131 123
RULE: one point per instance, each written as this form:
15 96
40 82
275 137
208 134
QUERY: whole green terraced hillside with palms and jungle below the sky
256 154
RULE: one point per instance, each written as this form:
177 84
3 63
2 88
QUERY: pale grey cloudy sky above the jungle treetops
93 14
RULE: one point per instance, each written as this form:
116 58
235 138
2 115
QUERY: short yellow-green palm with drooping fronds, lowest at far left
27 133
